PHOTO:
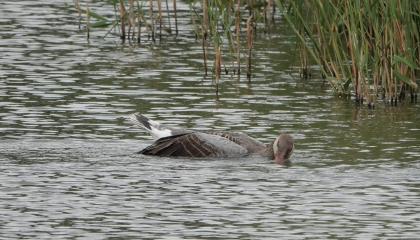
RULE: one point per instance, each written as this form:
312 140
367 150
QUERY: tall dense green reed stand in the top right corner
367 48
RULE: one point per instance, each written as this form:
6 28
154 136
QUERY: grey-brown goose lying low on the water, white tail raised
177 142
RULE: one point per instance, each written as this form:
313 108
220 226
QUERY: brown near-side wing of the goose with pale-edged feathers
195 144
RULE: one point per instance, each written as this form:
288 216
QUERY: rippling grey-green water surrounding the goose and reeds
69 168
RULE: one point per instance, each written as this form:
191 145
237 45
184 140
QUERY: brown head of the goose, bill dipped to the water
283 148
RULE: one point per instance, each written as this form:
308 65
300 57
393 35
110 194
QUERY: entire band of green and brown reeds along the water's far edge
364 48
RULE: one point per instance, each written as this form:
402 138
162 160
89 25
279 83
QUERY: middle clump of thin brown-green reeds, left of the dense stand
223 23
